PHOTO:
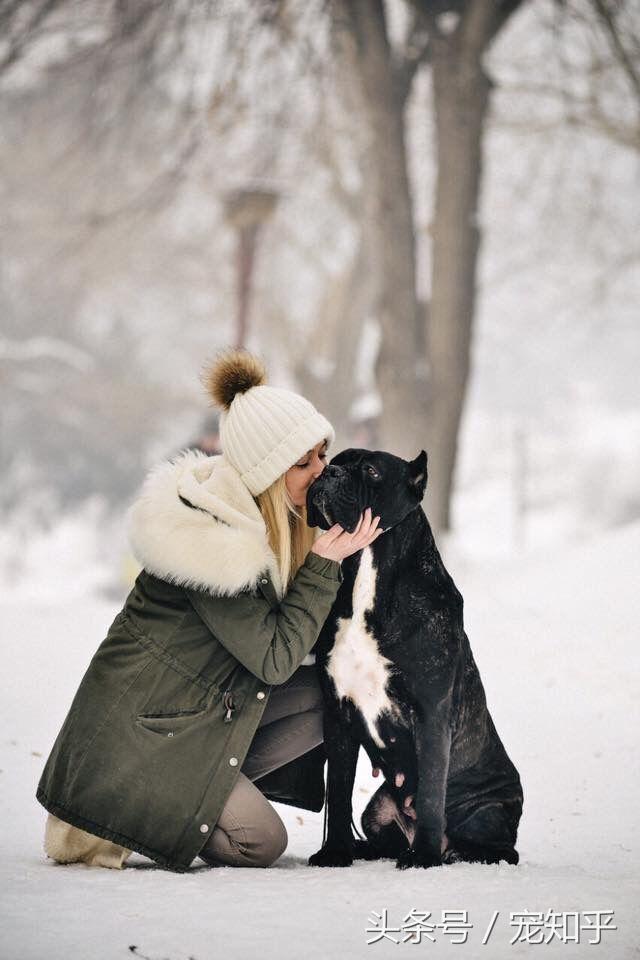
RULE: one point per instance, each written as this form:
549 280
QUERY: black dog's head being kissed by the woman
356 479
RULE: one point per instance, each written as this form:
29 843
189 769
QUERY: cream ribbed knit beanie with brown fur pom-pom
263 430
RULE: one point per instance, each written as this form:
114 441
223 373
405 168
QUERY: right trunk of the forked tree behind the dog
461 96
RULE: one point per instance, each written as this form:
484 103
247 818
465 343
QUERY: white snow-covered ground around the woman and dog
555 638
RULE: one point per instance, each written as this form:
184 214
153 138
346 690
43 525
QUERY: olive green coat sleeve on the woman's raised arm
273 643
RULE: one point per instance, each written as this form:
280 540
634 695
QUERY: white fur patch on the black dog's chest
355 664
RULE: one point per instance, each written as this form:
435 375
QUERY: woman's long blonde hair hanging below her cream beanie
289 536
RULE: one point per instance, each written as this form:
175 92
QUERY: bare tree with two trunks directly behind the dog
453 38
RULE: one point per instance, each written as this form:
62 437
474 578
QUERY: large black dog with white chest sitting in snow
399 678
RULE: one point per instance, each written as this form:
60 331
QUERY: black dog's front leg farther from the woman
433 744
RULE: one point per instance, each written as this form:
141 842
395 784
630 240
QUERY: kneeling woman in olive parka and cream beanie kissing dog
198 705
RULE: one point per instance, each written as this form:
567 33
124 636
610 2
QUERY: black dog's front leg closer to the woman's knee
342 749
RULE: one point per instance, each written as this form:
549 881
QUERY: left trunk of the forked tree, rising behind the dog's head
389 221
